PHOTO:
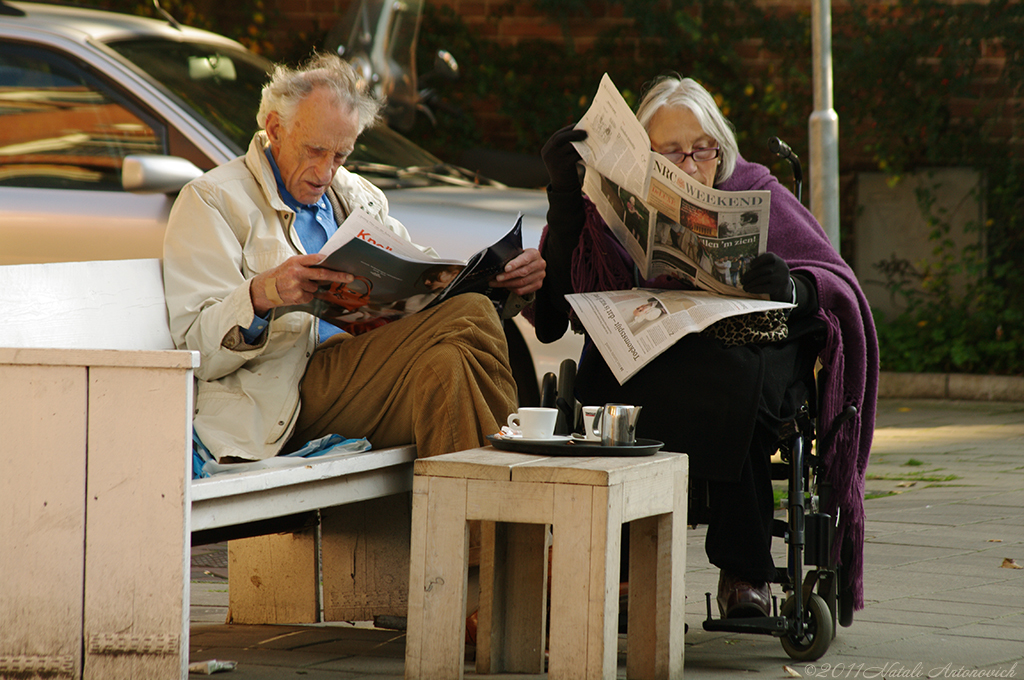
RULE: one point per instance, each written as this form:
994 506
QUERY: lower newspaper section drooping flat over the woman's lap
631 328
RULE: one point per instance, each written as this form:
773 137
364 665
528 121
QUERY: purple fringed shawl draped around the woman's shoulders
850 356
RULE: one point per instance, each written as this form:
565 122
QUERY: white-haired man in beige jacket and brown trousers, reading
243 240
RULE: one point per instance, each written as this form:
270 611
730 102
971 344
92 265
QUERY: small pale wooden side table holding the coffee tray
585 501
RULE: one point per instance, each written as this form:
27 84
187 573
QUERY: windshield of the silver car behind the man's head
223 87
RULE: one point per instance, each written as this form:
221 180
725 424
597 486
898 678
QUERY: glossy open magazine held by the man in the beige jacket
395 279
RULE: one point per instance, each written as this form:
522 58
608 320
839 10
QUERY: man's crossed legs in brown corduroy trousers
439 378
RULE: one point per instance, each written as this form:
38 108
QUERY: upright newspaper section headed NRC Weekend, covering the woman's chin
668 223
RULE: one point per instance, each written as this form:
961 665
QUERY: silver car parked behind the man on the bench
104 117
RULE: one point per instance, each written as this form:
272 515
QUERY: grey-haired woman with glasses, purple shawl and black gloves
726 404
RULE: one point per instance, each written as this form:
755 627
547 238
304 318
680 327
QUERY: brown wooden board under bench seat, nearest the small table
365 565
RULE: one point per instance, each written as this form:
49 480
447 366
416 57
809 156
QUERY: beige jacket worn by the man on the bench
225 229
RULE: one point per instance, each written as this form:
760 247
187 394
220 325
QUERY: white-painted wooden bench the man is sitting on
99 509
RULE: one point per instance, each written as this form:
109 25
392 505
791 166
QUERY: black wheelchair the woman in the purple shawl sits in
817 600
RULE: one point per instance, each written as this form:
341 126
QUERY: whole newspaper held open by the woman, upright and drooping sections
670 225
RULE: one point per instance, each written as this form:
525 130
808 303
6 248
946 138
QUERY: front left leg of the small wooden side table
437 643
